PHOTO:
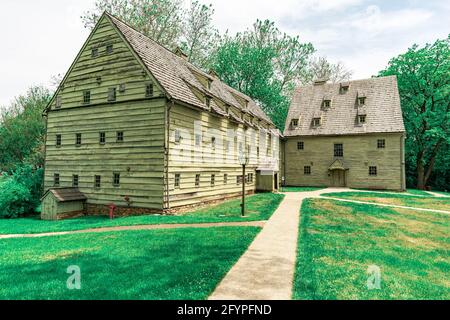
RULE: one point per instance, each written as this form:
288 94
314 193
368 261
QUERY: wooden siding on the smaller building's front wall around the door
360 152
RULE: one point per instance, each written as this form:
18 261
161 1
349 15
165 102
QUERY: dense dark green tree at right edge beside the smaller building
424 82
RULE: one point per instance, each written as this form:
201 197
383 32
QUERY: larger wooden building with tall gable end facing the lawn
137 125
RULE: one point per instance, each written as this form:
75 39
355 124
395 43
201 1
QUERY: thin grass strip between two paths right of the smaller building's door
429 202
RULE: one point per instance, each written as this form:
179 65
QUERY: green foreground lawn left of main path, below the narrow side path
158 264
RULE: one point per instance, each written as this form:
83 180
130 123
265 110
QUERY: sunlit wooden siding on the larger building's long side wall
188 160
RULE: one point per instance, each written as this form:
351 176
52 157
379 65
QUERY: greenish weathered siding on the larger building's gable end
139 158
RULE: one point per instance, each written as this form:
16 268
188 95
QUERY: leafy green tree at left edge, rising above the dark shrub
22 130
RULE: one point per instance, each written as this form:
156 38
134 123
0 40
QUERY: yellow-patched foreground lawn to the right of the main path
339 241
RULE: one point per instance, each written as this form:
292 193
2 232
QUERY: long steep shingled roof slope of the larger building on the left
175 74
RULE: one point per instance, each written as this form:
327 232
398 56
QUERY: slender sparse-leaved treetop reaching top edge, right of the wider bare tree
199 34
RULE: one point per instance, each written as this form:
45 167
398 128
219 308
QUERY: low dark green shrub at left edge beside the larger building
20 192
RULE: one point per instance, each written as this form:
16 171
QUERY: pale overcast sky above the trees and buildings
41 38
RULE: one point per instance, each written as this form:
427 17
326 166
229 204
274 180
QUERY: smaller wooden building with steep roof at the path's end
346 135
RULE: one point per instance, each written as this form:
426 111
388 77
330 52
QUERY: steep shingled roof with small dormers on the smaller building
382 108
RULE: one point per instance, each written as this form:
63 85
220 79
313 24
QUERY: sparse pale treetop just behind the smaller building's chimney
321 68
